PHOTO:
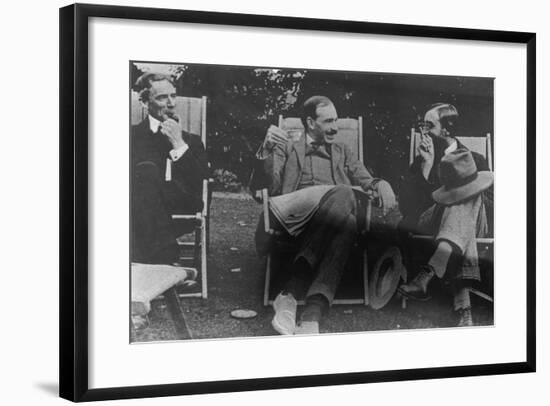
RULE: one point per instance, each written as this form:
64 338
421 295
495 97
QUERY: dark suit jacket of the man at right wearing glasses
416 192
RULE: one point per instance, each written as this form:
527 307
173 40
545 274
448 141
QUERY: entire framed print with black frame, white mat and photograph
256 202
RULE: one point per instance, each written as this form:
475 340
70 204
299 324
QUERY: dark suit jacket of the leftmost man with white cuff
187 172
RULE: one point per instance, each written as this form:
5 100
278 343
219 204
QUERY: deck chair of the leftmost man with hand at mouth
192 112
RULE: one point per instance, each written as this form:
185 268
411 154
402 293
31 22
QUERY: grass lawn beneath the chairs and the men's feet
236 278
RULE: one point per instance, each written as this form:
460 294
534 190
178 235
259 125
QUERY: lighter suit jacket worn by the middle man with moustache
283 167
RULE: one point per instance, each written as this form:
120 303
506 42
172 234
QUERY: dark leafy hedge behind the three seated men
244 101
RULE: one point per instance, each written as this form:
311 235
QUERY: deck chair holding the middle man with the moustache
350 131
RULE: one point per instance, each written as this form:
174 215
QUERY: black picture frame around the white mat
74 171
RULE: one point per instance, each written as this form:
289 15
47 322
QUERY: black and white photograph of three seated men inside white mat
276 201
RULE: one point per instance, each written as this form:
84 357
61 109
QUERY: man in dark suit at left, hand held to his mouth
168 166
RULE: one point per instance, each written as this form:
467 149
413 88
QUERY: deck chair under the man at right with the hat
481 145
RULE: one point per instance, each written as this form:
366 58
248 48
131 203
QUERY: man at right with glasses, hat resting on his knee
453 225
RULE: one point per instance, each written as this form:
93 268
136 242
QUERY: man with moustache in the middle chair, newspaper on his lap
310 181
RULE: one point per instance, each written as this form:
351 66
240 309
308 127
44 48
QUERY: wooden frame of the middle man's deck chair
283 123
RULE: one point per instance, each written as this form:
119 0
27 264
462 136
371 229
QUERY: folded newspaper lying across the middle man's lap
294 210
